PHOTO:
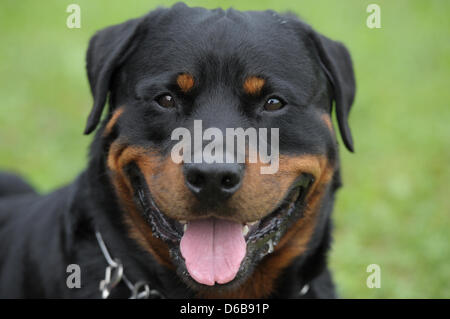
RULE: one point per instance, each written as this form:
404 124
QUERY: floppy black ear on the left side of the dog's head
107 49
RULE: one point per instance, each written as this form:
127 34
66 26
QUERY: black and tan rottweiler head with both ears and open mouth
223 226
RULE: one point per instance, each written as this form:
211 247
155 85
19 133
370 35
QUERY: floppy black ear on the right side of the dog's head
338 66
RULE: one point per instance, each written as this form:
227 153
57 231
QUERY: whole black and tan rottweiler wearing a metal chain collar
138 224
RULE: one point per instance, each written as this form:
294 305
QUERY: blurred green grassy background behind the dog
394 209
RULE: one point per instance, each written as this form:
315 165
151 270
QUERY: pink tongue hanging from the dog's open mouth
213 250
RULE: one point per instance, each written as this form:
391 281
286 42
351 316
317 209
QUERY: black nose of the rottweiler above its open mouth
214 182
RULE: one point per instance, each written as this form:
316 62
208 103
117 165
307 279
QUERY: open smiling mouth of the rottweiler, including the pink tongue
219 252
